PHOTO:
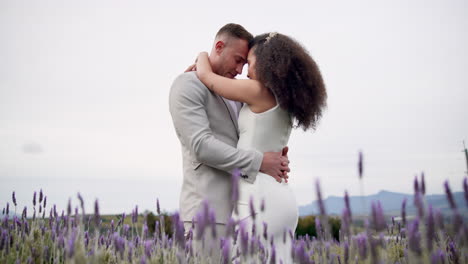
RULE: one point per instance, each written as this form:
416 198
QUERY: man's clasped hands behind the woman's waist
276 164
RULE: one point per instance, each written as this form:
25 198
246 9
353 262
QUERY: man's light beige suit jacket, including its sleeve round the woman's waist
207 128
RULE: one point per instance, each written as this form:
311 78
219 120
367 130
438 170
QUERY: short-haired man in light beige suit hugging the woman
206 125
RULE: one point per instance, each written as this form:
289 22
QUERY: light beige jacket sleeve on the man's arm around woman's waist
187 107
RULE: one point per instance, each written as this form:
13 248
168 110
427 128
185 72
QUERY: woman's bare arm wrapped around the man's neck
247 91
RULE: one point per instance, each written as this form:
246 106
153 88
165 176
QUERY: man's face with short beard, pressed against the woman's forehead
232 57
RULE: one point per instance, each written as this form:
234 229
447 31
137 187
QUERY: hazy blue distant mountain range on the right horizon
391 203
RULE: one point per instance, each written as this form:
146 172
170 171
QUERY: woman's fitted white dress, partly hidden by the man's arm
267 131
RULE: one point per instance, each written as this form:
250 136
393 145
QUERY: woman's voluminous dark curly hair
287 69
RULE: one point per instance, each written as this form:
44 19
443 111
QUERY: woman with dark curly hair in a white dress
285 89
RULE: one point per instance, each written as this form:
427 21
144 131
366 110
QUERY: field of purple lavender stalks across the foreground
72 236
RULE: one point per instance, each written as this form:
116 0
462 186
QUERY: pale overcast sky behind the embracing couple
84 91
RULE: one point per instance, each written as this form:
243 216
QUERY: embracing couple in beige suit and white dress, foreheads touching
226 125
